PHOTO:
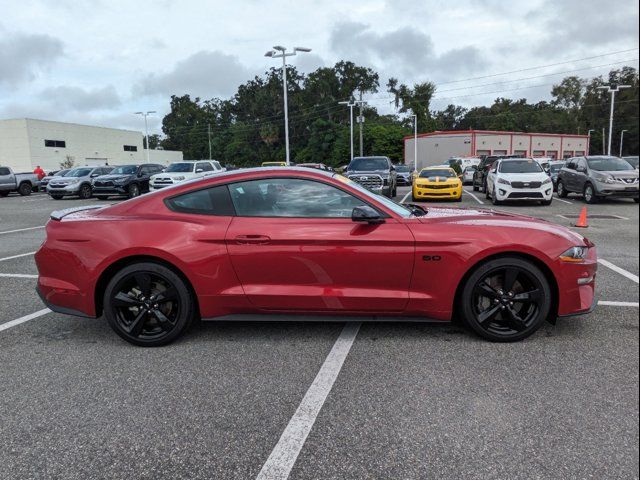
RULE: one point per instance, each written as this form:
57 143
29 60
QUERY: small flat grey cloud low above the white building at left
79 99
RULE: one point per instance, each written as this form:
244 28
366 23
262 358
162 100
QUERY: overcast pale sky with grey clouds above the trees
97 61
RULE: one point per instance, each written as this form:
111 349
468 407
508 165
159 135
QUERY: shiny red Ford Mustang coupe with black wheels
309 243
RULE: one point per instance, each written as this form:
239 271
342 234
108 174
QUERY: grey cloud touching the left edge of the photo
22 56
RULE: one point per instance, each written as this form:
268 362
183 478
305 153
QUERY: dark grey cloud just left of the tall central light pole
204 74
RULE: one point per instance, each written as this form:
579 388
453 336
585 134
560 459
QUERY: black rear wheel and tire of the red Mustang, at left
136 310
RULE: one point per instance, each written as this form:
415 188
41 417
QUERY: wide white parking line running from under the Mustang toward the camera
279 464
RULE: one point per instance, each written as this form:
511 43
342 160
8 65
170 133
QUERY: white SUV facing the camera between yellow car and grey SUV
519 179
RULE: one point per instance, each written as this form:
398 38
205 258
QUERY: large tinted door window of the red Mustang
287 197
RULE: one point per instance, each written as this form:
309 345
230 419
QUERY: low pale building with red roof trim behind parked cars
437 147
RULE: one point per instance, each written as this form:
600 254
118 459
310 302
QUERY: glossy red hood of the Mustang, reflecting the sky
498 219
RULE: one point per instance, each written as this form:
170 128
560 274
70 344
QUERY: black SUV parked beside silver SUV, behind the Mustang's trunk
129 180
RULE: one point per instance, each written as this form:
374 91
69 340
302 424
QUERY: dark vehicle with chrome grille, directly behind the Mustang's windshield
374 173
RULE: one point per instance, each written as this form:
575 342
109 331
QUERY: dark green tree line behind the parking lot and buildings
248 128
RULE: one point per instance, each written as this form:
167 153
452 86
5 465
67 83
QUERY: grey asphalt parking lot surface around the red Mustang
410 400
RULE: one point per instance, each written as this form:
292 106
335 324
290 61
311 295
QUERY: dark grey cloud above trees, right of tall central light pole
402 52
